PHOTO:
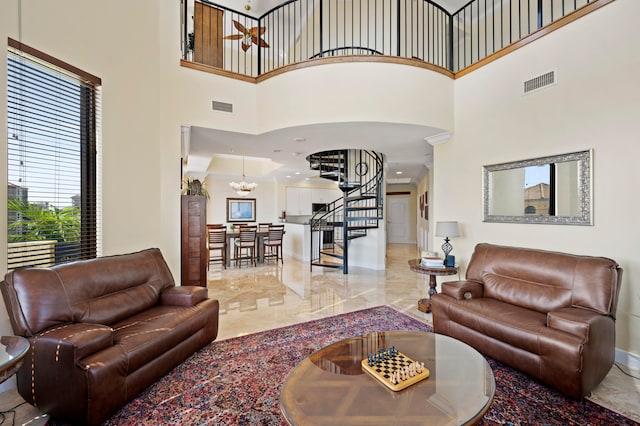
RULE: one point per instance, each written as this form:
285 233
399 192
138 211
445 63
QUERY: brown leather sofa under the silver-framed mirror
550 315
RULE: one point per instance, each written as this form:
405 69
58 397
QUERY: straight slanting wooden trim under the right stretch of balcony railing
555 25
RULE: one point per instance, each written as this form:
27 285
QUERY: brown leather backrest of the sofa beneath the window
99 291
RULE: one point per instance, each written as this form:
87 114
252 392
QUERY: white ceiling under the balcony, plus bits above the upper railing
281 155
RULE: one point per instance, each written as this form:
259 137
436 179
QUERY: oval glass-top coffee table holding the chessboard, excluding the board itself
330 387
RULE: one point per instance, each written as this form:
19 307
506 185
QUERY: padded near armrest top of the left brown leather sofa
72 342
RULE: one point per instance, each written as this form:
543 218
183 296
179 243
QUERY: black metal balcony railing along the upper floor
301 30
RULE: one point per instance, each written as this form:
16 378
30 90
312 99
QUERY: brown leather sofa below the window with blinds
103 330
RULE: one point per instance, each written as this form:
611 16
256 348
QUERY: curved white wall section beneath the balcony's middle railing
317 95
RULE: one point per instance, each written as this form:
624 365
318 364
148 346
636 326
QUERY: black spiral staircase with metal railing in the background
359 176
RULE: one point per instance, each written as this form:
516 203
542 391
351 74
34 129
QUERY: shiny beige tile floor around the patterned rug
268 296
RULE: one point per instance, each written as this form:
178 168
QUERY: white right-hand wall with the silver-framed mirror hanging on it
594 105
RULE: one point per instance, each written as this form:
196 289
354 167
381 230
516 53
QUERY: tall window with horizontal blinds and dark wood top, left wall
53 134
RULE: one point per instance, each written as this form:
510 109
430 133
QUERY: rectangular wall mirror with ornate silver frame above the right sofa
553 190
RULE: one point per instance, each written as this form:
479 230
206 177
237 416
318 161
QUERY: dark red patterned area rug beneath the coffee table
237 381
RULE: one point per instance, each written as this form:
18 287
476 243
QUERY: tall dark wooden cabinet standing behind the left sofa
194 240
